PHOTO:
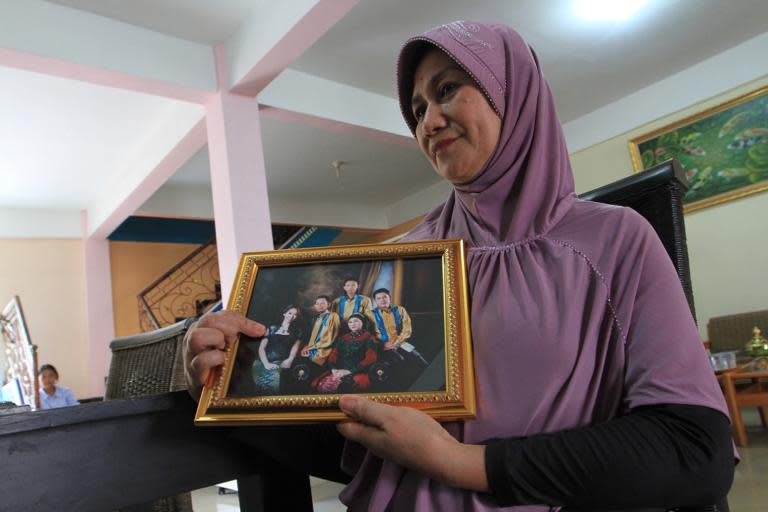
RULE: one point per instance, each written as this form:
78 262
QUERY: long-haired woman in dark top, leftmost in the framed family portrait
277 350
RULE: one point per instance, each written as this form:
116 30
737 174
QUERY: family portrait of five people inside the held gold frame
344 327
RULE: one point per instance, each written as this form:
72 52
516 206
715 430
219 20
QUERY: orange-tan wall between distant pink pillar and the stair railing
135 265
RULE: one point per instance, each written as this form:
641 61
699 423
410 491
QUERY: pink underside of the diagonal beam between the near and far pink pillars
192 142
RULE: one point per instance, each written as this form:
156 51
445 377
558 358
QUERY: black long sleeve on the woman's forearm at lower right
656 456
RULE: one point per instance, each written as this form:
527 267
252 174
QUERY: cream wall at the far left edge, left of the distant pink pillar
48 276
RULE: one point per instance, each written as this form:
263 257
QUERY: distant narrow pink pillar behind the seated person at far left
99 314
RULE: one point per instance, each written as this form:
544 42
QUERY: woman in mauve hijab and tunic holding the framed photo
594 391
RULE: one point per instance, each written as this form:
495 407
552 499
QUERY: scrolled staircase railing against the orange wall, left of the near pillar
186 290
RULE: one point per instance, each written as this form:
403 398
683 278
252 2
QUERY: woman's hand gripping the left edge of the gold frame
206 341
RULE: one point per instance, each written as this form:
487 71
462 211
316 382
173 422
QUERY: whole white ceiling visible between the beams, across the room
57 133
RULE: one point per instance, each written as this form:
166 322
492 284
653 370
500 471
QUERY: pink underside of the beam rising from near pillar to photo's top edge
301 36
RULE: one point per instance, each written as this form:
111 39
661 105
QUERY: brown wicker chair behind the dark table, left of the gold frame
150 364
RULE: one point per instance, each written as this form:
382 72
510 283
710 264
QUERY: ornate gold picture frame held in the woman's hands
446 258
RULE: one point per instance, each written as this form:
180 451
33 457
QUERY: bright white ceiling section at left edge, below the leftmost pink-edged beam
58 134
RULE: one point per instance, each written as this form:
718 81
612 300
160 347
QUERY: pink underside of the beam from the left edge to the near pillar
98 76
